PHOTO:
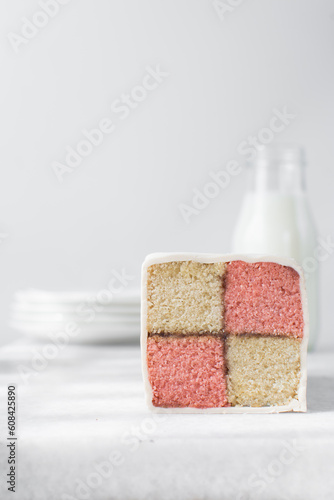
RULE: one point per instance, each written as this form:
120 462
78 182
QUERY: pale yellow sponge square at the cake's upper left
185 297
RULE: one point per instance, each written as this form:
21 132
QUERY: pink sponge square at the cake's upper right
263 298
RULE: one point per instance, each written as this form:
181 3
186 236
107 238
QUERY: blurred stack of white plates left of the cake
83 316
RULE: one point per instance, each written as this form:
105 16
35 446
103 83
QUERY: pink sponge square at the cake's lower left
187 371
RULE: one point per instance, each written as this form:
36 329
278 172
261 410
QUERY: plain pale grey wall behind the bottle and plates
226 75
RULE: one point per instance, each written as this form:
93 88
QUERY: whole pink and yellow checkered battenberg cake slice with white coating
223 333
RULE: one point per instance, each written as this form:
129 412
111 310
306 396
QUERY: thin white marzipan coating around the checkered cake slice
298 404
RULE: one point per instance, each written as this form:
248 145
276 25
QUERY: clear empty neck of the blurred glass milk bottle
279 170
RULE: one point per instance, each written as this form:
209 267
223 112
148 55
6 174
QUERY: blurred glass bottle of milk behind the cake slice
275 217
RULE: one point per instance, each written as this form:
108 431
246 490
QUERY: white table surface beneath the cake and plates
84 432
